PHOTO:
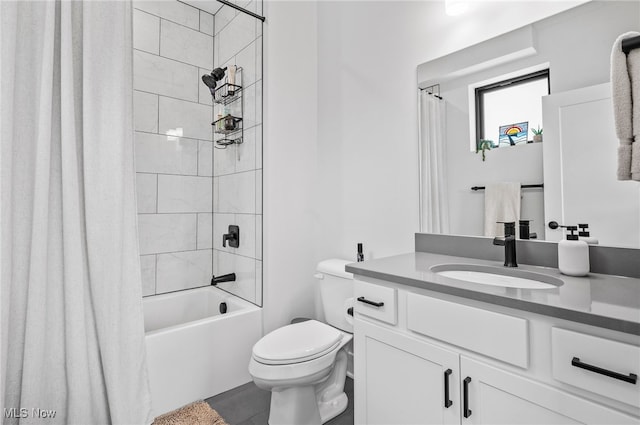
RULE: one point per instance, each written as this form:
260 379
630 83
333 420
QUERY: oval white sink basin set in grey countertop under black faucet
497 276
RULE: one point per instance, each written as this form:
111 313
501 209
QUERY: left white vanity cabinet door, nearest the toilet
401 380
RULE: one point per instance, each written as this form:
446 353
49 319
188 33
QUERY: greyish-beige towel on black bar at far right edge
625 86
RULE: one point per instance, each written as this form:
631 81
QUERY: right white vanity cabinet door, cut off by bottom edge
494 396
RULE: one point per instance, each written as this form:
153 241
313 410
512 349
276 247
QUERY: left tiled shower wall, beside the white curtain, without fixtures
173 46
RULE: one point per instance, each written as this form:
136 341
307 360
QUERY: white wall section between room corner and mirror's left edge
367 135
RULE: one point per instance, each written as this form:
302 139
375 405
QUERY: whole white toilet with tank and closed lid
304 364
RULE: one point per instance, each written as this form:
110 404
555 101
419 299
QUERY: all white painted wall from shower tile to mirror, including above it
341 154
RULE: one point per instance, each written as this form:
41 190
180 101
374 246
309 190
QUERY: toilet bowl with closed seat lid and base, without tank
304 366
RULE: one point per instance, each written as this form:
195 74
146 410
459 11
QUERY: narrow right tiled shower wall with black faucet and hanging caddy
237 170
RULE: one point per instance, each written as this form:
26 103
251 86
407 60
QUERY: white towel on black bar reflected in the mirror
501 203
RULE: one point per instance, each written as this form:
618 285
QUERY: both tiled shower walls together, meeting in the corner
175 155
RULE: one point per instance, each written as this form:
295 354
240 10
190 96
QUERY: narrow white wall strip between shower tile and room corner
290 117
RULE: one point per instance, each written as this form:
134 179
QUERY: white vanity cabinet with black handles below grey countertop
442 362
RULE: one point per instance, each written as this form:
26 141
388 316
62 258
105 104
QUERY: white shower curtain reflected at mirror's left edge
434 201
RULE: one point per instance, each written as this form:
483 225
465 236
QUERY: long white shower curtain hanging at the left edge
72 326
